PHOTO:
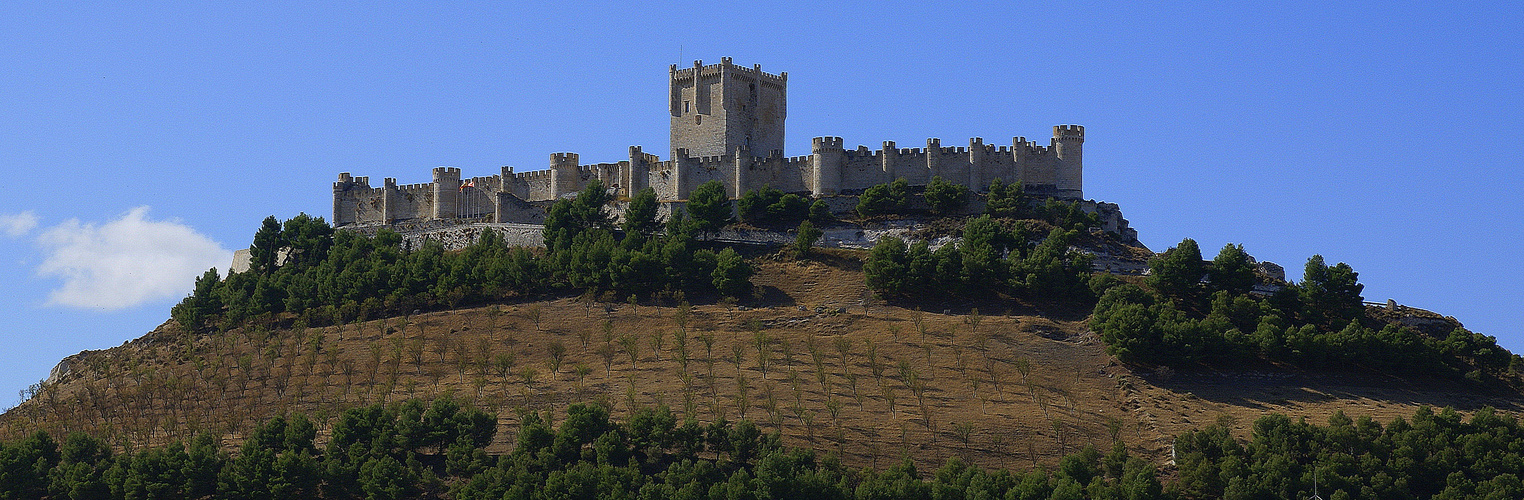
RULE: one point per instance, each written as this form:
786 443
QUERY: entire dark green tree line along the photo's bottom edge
417 449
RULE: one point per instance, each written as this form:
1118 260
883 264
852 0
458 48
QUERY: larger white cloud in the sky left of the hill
127 261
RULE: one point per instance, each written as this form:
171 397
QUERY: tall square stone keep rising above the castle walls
723 107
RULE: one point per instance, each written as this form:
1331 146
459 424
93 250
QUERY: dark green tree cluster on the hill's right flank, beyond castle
1197 312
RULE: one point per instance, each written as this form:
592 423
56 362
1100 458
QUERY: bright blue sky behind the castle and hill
144 141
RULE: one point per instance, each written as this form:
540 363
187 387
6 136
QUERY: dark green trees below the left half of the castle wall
338 277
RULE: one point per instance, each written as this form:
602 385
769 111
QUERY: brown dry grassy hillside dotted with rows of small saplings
1020 389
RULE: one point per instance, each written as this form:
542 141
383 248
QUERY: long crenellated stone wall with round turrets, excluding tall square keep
828 171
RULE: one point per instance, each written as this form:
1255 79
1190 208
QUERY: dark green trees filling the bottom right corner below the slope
1432 457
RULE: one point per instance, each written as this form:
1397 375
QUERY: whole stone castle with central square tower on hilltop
728 126
